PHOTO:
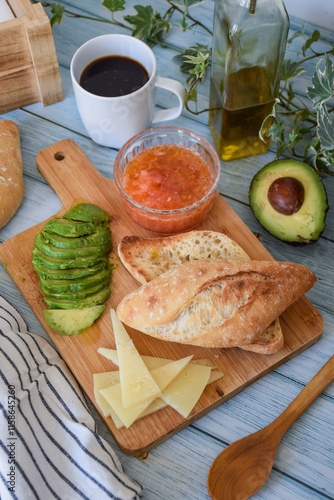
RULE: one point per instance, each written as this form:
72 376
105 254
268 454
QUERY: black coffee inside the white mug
113 76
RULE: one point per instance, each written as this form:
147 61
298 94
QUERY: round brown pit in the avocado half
286 195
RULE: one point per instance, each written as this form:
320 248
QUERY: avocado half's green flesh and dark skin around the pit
306 225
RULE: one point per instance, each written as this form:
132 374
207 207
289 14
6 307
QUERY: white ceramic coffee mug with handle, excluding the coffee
111 121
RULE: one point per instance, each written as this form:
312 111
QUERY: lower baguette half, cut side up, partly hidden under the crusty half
147 258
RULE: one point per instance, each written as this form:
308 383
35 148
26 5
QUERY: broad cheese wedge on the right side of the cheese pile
184 392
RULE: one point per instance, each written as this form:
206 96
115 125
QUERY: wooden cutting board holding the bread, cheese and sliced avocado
73 177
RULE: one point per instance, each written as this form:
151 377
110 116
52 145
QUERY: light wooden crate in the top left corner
29 70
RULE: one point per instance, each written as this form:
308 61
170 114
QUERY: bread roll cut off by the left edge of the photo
11 174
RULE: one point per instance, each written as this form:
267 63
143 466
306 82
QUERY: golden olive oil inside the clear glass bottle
238 107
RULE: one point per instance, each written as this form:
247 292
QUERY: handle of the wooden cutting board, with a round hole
69 173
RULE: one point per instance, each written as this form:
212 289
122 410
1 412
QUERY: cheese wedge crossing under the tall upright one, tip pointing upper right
163 375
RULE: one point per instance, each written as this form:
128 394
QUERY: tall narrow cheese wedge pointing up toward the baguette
137 384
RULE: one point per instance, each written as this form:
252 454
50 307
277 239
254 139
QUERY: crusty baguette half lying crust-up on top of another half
215 302
